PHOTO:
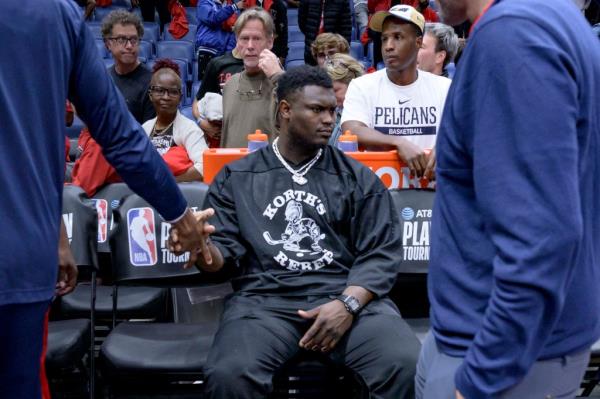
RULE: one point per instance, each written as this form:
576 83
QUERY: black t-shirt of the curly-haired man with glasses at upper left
134 87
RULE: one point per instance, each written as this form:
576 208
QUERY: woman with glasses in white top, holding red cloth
178 139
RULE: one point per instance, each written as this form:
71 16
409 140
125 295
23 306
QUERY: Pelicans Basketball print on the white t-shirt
406 120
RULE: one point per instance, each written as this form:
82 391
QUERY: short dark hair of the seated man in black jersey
297 78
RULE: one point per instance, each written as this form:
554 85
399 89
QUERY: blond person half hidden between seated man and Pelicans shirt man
341 68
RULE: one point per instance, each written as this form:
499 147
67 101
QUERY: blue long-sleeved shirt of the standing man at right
515 268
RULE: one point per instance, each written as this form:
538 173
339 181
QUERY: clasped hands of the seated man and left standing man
190 234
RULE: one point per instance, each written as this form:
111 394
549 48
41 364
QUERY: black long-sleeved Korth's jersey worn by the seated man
286 239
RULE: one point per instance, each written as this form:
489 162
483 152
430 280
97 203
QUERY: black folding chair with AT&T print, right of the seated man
414 207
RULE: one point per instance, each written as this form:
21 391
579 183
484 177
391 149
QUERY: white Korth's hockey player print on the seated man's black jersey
300 239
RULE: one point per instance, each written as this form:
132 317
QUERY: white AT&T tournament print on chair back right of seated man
416 225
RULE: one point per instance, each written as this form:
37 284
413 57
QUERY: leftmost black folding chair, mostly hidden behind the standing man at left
71 341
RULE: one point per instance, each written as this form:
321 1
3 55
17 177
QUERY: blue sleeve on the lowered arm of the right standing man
525 174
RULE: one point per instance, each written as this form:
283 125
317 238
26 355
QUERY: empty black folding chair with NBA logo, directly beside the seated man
154 355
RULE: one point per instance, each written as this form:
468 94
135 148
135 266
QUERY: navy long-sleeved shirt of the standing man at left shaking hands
48 55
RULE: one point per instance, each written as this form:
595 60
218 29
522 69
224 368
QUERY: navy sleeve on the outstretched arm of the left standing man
124 143
